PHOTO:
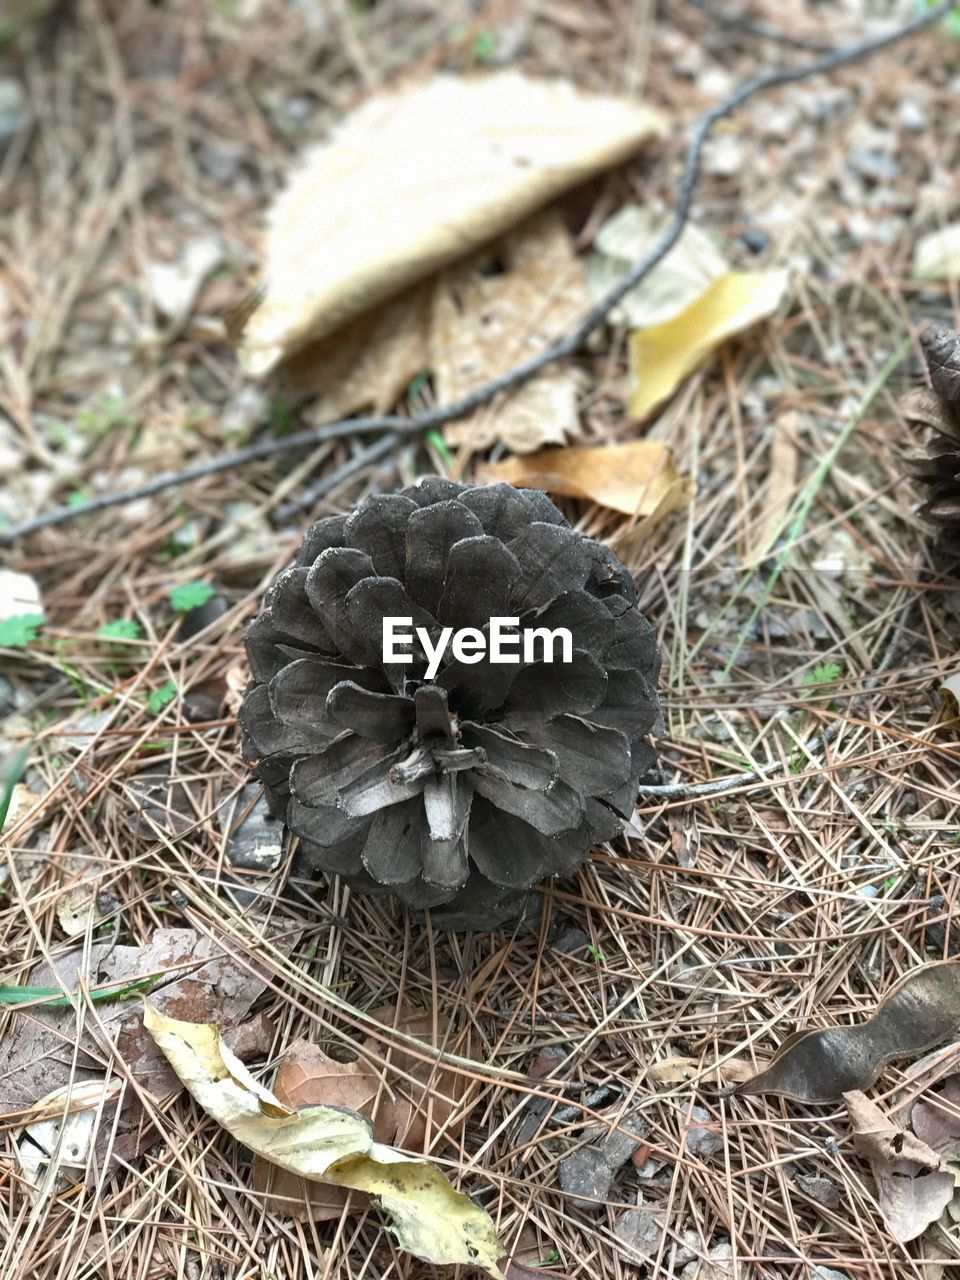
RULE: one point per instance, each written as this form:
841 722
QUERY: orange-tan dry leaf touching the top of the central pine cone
636 478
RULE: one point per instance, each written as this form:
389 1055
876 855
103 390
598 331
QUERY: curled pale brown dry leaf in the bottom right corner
915 1186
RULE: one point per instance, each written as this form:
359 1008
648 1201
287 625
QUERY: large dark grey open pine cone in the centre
461 792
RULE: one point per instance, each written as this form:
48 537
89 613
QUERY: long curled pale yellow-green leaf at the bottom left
428 1217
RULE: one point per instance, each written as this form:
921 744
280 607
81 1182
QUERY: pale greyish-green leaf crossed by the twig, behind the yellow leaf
671 286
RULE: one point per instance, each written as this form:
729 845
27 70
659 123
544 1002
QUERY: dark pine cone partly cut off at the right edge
938 468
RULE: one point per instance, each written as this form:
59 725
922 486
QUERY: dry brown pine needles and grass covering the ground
788 903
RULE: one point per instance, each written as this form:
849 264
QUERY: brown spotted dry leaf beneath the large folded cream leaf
465 324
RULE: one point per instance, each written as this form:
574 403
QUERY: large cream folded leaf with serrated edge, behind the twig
365 217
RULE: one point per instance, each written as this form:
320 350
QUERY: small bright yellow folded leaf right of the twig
664 355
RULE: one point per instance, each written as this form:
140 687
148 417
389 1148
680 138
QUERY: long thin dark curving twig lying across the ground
569 346
